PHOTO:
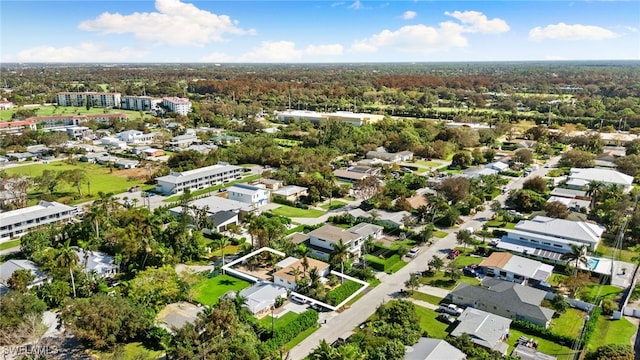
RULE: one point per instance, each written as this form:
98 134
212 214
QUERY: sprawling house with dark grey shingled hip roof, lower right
504 298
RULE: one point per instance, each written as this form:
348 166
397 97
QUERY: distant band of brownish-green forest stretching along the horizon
592 93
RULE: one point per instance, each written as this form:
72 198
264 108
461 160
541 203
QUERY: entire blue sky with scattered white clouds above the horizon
215 31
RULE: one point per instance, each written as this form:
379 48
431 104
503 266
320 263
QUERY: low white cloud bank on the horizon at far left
85 52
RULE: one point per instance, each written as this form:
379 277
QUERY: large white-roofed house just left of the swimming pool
550 238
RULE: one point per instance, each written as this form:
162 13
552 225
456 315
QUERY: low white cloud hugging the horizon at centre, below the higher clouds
280 51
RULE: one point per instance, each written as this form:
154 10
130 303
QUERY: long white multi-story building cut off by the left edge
16 223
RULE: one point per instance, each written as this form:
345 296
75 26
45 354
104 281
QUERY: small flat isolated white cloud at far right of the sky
562 31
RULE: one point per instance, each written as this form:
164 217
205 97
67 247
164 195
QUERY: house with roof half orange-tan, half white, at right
506 266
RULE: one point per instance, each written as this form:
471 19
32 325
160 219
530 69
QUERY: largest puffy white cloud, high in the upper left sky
175 23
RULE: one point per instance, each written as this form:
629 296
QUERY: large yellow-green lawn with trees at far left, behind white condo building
101 179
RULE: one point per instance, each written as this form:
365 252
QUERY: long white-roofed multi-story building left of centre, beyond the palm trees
177 182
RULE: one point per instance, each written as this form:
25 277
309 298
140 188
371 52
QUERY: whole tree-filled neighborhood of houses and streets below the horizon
212 216
